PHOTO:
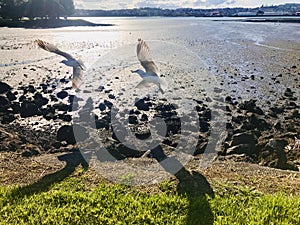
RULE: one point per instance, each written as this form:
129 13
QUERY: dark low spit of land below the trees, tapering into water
47 23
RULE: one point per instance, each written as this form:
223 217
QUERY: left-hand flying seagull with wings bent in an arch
77 64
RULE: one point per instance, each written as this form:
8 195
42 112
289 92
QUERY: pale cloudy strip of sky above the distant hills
172 4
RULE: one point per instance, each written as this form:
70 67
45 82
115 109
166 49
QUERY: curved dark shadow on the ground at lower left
72 160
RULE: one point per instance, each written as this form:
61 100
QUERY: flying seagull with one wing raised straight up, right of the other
151 75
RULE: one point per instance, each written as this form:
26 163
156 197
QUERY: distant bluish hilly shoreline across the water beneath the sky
279 10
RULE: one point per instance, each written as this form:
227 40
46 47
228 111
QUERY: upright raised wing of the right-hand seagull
145 58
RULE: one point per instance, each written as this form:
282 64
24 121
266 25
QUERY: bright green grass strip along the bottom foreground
72 202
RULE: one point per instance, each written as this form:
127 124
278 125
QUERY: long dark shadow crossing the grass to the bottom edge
192 185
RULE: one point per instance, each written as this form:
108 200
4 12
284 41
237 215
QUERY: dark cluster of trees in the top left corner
44 9
